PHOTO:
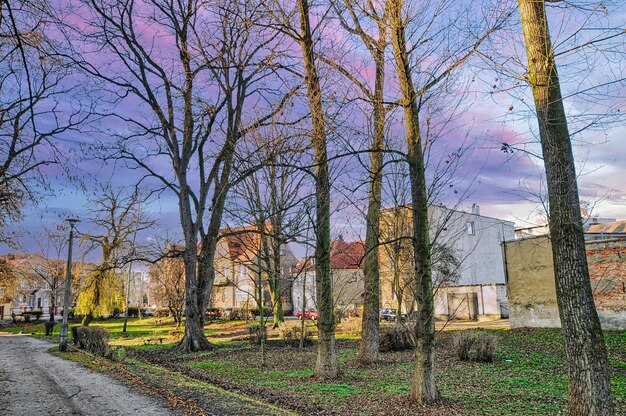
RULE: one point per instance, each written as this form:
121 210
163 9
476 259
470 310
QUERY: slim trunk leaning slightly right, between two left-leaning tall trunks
370 336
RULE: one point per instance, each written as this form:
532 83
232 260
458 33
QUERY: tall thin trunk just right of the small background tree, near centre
326 365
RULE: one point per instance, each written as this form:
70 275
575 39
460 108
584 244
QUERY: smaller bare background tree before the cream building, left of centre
273 201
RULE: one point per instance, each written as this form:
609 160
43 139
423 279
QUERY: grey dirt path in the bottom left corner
32 382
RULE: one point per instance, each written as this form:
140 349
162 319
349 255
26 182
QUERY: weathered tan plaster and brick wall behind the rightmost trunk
531 287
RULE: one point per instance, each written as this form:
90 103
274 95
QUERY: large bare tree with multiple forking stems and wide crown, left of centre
195 92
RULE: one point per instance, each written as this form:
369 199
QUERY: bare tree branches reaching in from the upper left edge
37 104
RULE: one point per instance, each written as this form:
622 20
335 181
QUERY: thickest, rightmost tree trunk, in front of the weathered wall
589 380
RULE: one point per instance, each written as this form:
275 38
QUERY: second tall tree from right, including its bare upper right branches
416 88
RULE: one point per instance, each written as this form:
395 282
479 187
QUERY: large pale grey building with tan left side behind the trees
468 268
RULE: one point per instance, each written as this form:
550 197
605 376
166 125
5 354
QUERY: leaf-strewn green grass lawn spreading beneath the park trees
527 377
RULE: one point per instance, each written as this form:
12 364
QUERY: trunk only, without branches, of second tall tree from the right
423 389
